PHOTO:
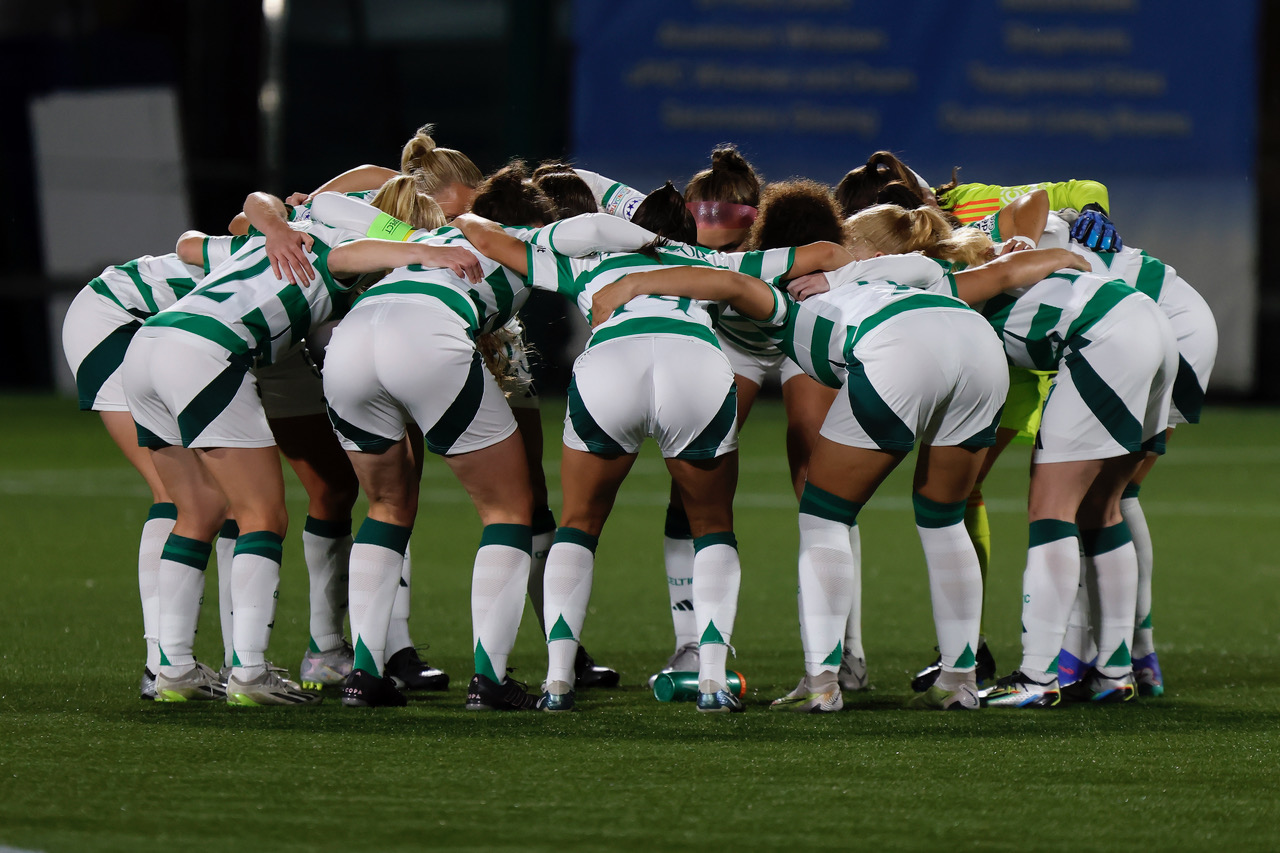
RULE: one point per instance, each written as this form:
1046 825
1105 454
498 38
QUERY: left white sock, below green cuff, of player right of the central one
826 592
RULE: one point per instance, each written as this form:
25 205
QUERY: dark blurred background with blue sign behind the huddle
126 122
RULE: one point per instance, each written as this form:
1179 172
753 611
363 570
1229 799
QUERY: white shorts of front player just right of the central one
935 377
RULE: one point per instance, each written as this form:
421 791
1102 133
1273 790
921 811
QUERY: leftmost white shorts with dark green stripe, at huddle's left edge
97 334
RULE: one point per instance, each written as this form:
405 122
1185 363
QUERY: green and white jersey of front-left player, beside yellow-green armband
245 309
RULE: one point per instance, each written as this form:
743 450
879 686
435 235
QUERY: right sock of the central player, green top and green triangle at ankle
717 577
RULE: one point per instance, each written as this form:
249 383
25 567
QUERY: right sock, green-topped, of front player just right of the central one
956 581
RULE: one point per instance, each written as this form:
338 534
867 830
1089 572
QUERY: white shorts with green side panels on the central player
675 389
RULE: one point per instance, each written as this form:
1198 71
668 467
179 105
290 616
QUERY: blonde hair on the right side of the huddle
897 231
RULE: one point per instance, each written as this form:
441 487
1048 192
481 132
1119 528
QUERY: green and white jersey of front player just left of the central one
486 305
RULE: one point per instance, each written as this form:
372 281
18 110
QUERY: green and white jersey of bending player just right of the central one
822 334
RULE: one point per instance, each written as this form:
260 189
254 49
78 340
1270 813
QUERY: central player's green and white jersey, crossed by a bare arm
579 279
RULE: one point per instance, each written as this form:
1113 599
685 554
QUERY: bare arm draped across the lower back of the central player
747 294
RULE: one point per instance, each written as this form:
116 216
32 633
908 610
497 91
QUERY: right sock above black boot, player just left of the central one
499 585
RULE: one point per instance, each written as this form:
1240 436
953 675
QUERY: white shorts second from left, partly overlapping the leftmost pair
185 391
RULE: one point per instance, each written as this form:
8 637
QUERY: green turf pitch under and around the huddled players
86 767
